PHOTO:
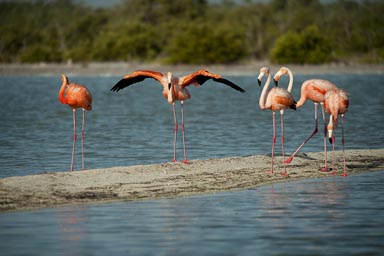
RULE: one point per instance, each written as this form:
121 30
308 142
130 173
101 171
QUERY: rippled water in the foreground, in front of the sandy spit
330 216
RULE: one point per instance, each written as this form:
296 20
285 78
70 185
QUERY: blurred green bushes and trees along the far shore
193 31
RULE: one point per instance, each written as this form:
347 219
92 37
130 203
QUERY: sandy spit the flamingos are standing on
169 180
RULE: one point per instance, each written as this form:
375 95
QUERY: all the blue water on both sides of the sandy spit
332 216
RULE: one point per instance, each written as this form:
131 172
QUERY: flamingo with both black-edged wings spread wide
174 89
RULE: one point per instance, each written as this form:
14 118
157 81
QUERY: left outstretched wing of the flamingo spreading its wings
136 77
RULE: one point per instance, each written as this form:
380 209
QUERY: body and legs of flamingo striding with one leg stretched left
314 90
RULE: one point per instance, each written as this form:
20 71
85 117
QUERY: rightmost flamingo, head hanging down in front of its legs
336 103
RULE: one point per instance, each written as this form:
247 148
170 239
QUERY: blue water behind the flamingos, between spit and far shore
135 125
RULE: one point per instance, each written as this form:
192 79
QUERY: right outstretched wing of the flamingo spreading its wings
201 76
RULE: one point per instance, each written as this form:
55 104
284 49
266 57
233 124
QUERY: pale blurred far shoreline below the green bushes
122 68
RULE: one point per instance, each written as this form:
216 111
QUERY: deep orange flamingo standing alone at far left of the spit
76 96
